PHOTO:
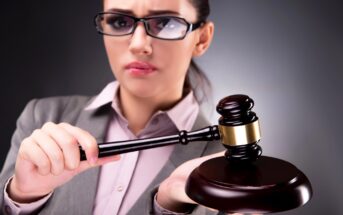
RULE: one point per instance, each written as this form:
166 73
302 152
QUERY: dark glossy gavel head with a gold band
239 128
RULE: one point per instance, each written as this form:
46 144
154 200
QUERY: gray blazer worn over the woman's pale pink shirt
78 195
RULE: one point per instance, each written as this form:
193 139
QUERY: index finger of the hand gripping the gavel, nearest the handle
86 141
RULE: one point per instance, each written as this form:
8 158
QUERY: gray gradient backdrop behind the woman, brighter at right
287 55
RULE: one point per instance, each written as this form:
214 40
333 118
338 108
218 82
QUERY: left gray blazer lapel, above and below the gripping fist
78 195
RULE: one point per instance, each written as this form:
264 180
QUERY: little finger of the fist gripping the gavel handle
32 153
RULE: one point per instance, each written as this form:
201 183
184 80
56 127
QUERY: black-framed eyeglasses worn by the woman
160 27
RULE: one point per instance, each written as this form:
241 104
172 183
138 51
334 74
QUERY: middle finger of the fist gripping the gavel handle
66 142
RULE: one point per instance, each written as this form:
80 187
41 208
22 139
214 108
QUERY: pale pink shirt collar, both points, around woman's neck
183 114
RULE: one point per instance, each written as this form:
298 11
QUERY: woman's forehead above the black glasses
143 8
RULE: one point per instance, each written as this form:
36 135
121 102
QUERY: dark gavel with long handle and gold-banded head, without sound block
230 132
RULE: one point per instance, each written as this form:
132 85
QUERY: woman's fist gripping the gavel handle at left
49 158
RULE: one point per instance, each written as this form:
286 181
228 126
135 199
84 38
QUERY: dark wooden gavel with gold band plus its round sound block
241 181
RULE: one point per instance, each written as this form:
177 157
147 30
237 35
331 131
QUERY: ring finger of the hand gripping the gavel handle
51 149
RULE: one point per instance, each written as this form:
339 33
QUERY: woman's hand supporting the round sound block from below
171 193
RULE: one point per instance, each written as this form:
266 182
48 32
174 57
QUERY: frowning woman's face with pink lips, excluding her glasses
147 67
